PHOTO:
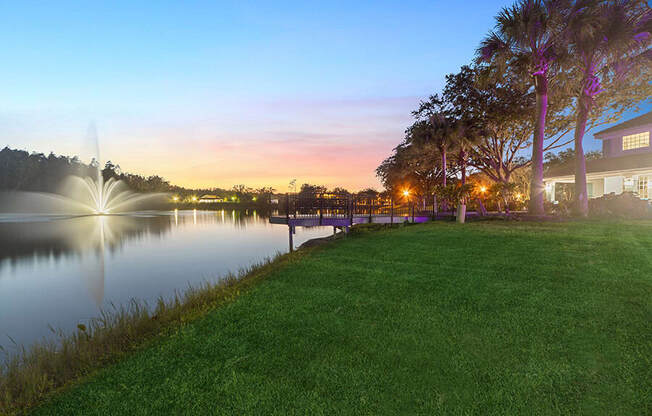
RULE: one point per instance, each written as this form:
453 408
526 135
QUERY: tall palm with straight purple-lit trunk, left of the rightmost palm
526 39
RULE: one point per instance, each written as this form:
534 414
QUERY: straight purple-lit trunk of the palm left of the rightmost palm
536 186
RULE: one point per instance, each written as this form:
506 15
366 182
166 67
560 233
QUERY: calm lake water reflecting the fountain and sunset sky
60 271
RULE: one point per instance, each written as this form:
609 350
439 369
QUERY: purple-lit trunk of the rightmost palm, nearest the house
581 202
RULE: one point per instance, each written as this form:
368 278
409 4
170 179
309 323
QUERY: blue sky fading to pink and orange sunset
218 93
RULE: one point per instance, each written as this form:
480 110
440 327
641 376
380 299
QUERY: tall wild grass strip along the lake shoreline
28 376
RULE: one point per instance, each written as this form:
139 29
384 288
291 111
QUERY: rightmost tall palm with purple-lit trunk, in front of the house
606 41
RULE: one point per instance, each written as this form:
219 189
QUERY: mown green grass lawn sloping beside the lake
481 318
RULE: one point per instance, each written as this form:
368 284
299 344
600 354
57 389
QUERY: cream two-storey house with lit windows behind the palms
626 165
